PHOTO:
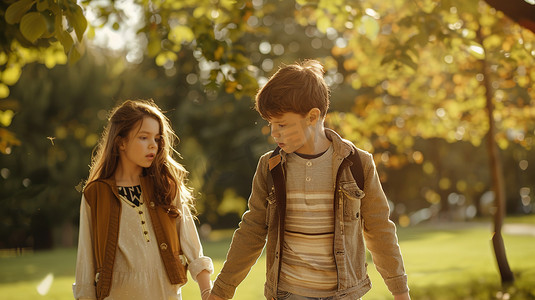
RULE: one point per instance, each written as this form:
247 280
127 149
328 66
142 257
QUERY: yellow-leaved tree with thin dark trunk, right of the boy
440 69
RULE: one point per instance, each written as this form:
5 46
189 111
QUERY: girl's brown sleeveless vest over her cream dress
103 198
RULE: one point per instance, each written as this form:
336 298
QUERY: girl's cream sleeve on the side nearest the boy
191 245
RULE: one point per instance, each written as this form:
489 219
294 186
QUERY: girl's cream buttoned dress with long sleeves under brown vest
138 271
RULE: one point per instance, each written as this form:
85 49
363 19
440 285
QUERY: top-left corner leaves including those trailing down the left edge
34 31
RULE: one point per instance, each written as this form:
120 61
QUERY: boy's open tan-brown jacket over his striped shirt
361 215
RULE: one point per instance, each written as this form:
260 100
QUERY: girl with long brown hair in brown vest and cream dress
137 235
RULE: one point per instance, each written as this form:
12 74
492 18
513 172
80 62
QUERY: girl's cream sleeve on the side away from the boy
84 287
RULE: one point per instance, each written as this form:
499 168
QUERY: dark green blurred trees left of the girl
40 177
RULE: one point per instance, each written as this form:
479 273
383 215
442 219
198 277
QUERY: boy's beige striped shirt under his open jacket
308 266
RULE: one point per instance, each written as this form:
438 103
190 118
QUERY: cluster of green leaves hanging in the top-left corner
33 29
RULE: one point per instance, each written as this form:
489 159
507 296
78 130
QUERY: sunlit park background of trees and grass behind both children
441 92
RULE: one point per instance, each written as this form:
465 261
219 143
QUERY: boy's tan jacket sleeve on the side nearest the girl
248 240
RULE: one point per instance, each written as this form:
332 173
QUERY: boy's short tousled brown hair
296 88
